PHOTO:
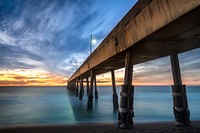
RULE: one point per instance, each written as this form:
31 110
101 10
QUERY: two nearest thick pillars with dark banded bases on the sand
180 104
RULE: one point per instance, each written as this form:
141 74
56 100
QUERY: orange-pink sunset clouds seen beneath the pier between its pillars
144 79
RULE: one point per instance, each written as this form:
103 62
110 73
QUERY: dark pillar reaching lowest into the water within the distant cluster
90 97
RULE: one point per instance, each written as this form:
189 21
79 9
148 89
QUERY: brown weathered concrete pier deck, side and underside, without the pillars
151 29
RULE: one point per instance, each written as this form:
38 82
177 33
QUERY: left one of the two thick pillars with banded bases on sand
126 96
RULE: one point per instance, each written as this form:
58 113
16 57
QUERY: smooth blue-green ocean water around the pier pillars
56 105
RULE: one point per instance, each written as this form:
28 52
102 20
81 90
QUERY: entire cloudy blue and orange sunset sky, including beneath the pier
42 42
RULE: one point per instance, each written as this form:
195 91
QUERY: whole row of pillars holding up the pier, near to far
125 108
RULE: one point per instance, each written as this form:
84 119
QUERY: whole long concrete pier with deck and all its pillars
152 29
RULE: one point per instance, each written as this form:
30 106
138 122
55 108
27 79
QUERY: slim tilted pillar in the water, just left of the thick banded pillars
115 97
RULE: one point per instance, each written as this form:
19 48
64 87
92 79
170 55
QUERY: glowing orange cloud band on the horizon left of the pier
30 77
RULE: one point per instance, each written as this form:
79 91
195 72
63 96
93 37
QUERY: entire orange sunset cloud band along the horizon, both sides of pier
36 77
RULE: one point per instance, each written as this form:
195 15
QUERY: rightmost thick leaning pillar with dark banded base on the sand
180 104
